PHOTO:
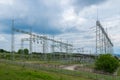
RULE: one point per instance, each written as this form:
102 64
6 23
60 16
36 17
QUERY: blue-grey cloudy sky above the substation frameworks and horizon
69 20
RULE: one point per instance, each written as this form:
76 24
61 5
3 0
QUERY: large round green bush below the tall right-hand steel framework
106 63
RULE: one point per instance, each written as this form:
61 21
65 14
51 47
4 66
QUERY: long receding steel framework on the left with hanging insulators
34 37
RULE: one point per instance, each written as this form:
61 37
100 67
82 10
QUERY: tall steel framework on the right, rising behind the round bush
103 42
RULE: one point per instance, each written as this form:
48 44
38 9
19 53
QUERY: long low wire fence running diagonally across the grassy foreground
55 68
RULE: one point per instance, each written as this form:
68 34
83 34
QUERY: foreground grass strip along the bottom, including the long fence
12 68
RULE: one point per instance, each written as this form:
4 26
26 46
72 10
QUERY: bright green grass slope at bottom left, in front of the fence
12 72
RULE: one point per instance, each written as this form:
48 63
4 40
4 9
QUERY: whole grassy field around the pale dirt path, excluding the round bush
42 70
